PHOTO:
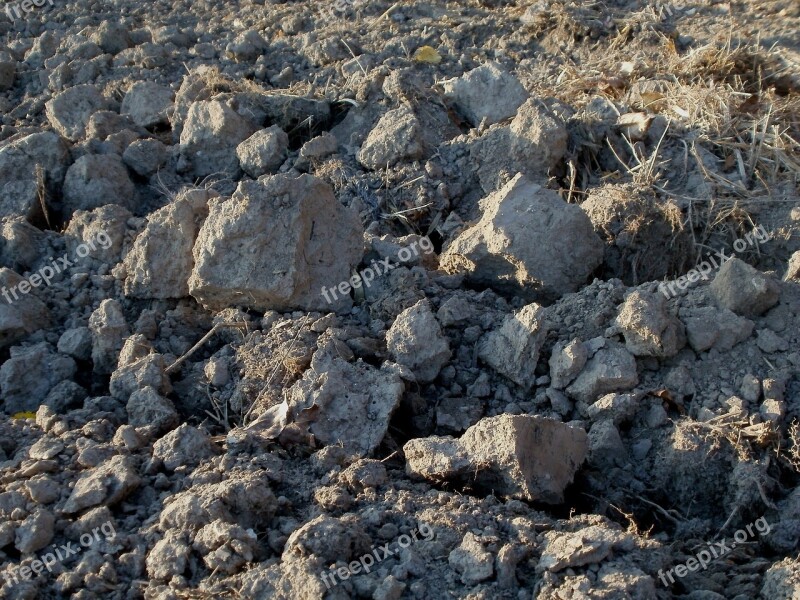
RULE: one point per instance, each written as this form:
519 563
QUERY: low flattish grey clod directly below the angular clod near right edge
707 327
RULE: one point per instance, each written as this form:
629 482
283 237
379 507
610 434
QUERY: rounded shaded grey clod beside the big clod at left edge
95 180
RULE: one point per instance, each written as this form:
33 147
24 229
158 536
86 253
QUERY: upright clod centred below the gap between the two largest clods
415 340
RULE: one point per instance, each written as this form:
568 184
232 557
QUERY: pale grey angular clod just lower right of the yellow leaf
487 92
